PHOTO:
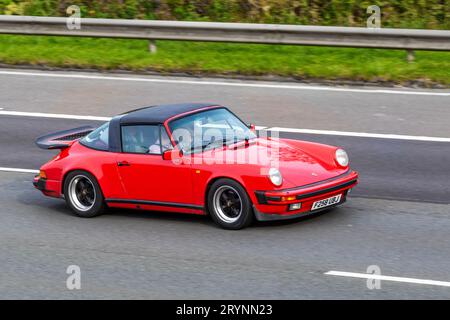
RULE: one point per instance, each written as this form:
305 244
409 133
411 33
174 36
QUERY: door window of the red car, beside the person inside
141 139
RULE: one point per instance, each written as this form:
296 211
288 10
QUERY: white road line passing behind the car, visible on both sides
280 129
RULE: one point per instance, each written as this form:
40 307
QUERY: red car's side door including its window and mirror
145 174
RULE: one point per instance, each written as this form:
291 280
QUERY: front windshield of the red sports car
209 129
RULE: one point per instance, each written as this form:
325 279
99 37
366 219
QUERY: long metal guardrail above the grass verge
406 39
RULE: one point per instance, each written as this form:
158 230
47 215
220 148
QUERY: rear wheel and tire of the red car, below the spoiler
83 194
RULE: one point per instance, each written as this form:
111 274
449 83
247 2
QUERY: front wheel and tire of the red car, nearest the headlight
229 205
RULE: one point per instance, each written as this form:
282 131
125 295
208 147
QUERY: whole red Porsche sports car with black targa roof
193 158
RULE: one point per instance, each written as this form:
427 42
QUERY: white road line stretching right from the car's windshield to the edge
361 134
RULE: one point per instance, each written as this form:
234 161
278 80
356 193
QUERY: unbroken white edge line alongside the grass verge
222 83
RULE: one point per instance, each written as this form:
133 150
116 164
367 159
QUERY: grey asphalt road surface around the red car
397 219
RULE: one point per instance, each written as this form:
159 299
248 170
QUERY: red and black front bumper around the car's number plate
274 205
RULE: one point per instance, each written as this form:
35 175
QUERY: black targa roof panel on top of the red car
160 113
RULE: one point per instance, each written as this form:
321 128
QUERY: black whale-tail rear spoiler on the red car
62 139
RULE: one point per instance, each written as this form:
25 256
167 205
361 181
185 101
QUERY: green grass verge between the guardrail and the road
220 58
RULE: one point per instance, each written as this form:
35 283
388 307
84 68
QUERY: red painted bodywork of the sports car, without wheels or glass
310 173
